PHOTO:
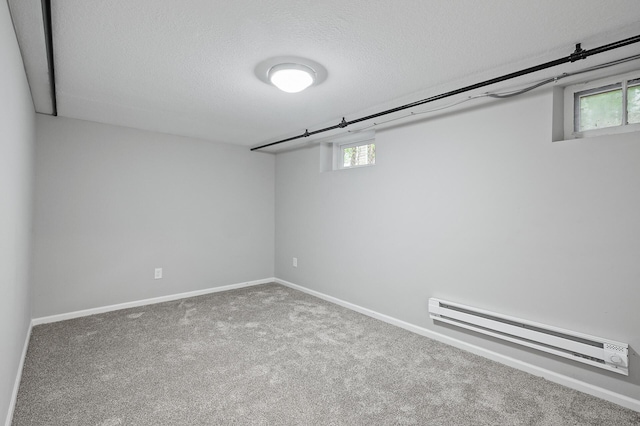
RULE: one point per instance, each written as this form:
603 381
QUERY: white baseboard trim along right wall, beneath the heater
561 379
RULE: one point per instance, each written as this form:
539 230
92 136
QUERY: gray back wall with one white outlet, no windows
113 203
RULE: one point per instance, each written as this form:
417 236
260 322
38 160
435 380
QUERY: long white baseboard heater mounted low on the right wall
595 351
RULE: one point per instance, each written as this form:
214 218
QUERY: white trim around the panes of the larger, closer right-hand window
570 110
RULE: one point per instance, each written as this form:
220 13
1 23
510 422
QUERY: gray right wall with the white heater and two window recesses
478 207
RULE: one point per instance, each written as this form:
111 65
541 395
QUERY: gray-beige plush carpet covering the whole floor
270 355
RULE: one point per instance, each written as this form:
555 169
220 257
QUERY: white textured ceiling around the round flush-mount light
187 67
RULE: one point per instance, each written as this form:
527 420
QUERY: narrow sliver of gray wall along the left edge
16 170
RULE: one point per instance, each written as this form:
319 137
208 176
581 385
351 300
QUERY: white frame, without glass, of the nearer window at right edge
572 106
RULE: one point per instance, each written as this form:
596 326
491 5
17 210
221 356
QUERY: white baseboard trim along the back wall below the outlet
134 304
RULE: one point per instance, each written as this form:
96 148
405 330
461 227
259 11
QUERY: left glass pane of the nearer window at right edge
600 110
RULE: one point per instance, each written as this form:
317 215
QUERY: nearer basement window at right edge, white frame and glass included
602 107
